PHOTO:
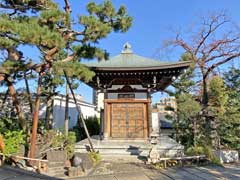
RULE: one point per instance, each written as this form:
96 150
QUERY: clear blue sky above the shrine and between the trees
152 21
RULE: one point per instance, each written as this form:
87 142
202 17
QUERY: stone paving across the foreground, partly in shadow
138 171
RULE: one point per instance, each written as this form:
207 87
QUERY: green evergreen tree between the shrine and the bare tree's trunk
188 106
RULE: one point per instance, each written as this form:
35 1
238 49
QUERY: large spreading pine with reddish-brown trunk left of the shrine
44 25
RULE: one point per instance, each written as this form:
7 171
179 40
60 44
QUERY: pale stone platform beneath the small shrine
131 149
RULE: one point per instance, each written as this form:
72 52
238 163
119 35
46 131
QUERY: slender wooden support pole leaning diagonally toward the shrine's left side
79 111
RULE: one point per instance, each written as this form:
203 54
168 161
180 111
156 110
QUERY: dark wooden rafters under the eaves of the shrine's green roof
154 80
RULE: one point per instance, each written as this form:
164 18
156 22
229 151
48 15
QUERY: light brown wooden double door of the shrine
128 120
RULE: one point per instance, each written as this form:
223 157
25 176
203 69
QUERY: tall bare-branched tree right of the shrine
214 42
